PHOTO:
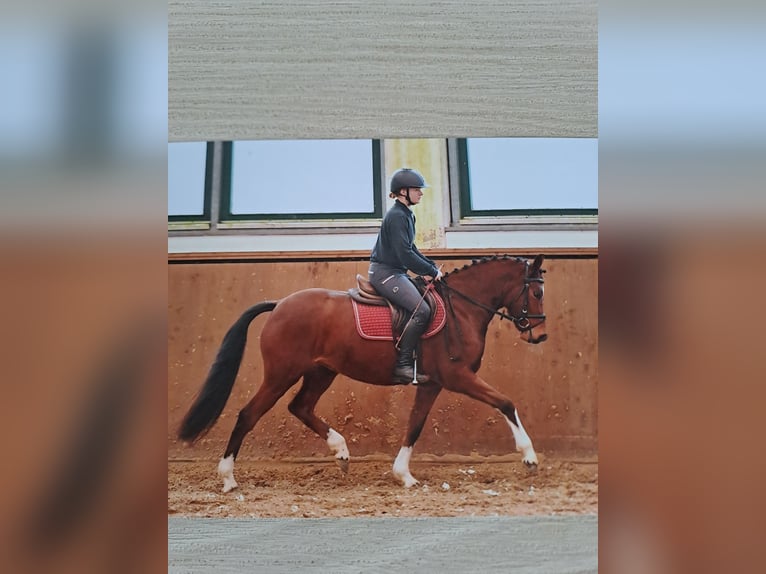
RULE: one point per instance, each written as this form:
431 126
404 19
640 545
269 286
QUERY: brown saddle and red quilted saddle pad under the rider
377 318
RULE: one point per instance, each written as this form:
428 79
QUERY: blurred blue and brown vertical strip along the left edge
83 131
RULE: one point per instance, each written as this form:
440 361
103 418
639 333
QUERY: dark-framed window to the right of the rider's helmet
527 176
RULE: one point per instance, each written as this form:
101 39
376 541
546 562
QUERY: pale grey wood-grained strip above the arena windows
241 70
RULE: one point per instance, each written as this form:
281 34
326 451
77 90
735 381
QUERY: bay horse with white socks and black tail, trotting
311 334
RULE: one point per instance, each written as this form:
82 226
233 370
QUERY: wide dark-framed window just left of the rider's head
311 179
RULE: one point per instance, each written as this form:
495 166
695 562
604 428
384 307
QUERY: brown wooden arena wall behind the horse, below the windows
554 385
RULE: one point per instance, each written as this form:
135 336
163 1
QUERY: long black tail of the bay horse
209 404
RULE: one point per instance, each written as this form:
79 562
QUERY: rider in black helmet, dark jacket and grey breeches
393 255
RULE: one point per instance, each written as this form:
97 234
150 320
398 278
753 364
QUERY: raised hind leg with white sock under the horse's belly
315 383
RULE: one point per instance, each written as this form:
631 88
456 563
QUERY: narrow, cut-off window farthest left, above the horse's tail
189 181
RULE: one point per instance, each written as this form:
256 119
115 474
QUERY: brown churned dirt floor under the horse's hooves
467 486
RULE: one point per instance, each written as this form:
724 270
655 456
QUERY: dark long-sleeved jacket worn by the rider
395 247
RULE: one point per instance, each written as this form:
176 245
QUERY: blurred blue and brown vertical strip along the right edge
682 243
